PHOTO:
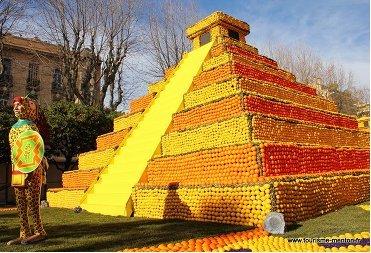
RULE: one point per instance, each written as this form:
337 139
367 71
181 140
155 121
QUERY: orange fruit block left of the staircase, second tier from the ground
79 178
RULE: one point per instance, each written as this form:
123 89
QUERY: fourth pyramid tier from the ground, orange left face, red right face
237 104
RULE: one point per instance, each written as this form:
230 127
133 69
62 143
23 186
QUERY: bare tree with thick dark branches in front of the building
95 36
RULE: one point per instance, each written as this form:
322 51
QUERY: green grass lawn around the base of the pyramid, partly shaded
68 231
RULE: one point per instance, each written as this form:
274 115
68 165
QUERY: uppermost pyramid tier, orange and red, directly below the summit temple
243 52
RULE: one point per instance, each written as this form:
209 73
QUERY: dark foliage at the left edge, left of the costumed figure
7 119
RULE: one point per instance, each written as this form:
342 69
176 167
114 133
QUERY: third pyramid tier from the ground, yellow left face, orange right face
255 128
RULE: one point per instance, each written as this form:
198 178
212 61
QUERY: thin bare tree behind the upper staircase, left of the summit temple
164 34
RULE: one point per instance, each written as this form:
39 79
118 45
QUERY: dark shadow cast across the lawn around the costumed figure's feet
113 234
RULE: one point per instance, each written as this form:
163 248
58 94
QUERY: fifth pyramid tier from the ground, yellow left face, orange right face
234 85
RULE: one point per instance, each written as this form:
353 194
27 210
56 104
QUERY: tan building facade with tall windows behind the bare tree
30 66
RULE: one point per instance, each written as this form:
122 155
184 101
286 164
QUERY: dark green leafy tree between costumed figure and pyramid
73 128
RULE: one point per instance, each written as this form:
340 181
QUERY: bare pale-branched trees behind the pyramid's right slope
330 79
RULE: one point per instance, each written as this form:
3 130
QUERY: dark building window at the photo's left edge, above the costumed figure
6 82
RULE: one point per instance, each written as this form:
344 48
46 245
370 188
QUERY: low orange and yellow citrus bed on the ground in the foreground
256 241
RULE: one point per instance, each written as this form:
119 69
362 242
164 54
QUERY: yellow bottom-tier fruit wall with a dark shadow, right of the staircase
245 205
